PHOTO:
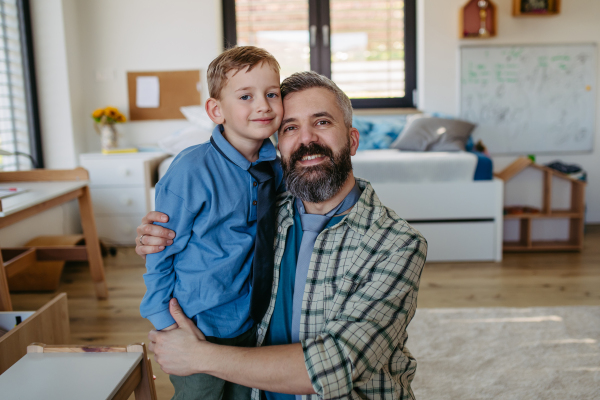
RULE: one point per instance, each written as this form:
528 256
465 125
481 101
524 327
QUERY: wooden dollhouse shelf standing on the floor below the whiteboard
574 213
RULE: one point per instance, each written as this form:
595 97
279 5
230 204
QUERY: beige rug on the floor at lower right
506 353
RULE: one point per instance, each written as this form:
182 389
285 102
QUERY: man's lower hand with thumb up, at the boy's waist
178 351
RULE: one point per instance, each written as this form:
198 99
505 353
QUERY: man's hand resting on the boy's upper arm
153 238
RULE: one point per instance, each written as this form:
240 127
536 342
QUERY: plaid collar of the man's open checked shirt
365 212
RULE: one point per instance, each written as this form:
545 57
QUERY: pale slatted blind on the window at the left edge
14 126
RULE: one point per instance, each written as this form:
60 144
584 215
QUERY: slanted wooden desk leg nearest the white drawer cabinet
92 244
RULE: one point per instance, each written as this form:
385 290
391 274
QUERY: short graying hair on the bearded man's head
309 79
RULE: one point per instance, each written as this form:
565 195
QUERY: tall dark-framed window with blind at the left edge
19 126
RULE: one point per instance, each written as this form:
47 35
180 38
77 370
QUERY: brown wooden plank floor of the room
520 280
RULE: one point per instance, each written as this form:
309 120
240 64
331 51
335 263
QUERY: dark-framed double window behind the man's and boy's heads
367 47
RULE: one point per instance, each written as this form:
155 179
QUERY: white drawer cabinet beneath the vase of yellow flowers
122 188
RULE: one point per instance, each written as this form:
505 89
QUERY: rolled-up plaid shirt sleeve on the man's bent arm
370 325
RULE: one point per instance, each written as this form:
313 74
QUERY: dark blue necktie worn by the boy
262 264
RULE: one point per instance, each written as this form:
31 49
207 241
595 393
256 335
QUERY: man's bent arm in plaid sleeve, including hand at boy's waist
350 349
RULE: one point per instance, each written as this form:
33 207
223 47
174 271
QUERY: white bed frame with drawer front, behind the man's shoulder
462 221
